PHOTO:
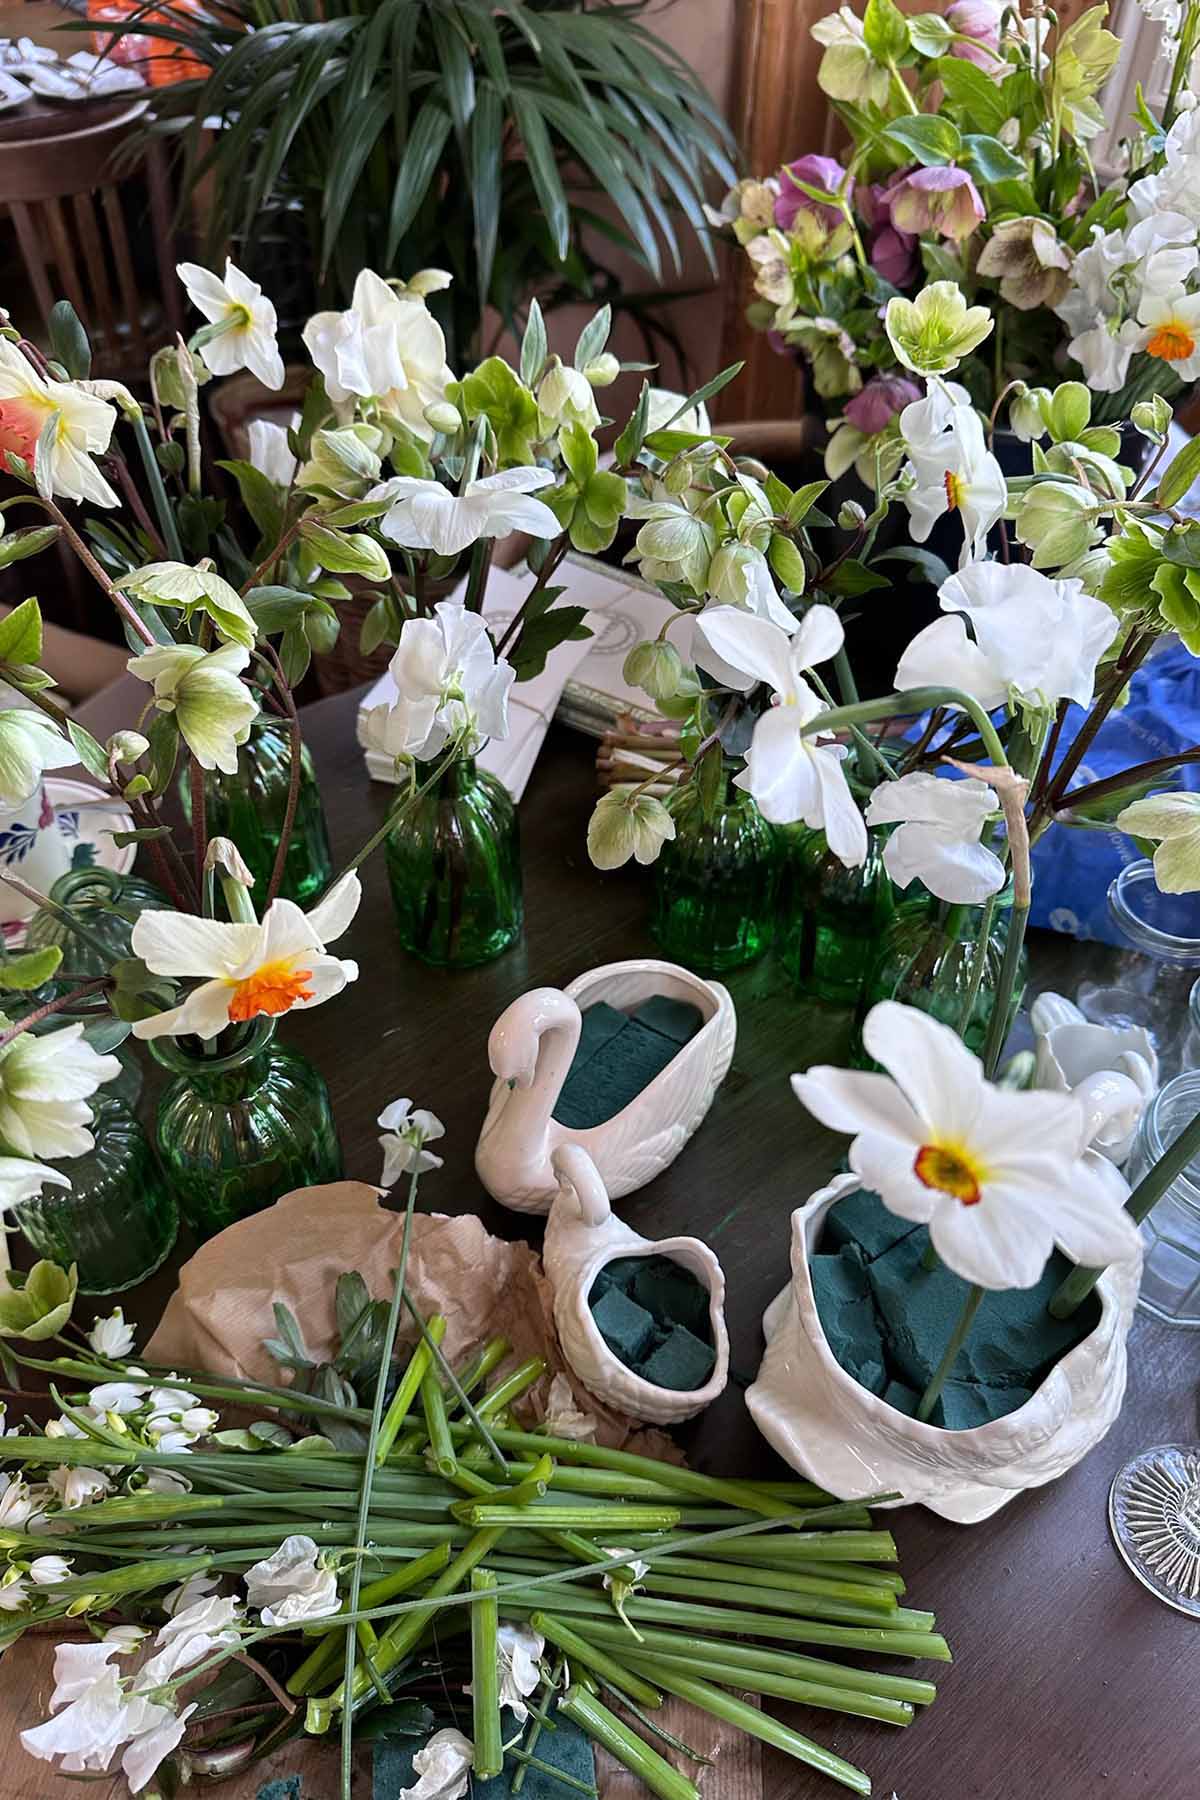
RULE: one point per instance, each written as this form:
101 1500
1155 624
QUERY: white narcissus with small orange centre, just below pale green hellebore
951 469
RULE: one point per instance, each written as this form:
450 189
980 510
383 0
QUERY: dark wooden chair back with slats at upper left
91 228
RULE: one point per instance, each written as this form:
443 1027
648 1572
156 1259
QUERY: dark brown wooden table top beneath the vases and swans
1070 1684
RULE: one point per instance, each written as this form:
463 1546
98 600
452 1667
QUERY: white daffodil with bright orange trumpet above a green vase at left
247 969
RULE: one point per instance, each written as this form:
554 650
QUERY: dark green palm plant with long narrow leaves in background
463 134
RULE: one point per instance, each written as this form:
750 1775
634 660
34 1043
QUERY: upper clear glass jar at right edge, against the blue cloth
1152 984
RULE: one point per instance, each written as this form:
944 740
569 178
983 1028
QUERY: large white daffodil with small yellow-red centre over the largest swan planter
996 1174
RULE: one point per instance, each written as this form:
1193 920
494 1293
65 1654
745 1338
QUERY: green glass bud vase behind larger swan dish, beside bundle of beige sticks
717 879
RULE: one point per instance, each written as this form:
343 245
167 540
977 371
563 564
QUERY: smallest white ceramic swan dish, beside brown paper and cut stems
582 1241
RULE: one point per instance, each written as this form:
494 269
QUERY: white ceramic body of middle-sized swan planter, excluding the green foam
532 1048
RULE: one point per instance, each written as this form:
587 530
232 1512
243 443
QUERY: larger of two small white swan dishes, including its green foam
535 1108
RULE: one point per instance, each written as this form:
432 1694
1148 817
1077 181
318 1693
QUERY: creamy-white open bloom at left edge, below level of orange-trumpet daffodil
46 1084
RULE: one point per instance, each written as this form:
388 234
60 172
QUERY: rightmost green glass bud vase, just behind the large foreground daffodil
927 960
